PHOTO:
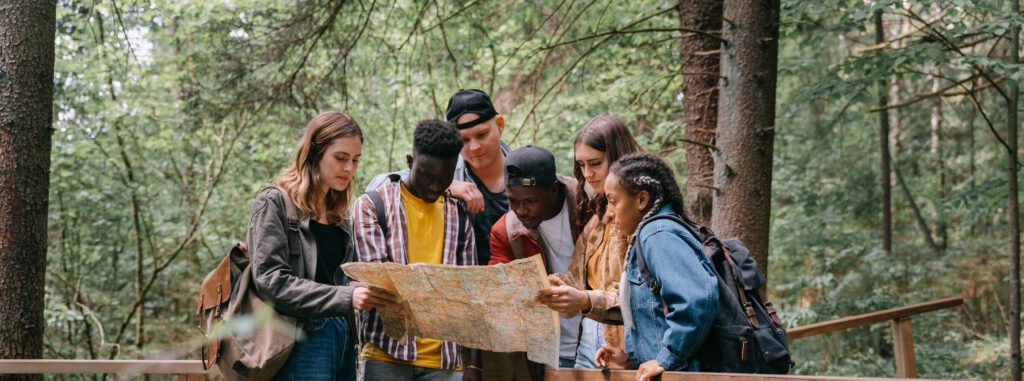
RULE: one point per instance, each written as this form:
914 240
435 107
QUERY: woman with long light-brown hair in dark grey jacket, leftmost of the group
311 203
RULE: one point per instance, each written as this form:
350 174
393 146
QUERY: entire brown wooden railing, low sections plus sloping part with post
901 318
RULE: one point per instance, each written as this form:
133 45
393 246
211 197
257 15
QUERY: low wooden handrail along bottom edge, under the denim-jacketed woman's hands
607 375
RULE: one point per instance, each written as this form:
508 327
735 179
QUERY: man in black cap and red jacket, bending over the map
539 224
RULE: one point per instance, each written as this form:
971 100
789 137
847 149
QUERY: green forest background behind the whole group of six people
169 116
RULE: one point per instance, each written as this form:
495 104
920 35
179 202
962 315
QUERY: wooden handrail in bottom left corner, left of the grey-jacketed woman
166 367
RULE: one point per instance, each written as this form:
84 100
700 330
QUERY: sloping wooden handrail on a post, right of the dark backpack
872 318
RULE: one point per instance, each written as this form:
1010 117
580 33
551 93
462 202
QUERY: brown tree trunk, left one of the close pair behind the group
701 56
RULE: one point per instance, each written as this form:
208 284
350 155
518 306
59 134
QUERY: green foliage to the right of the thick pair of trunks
827 258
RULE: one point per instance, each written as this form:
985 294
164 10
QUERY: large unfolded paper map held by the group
483 308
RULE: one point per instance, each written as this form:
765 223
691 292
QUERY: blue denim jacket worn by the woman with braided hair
690 290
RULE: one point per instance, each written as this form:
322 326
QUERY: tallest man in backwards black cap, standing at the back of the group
480 175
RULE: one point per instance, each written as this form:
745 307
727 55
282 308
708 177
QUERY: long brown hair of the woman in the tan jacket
610 136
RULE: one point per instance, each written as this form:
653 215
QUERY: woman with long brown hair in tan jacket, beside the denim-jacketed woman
600 253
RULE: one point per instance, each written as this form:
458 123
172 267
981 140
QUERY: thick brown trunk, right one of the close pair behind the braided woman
742 205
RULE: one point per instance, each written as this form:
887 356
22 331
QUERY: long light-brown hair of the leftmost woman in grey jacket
303 180
